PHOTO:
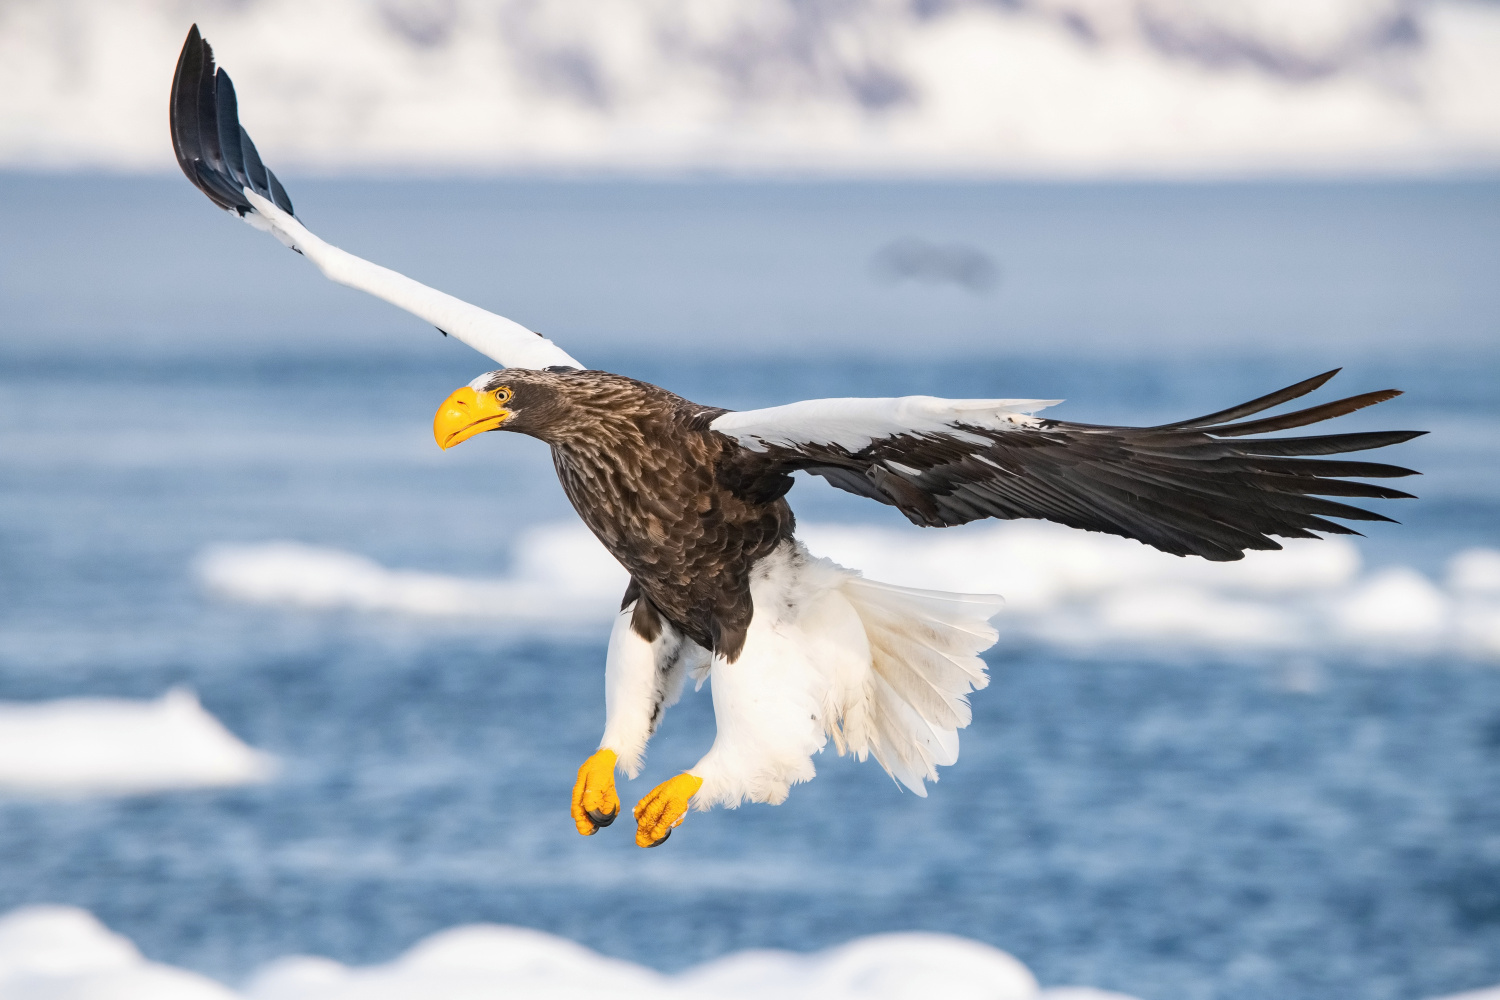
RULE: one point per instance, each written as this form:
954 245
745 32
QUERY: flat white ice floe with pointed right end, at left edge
119 747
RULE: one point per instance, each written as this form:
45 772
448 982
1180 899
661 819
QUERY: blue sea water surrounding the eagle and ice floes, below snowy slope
1165 825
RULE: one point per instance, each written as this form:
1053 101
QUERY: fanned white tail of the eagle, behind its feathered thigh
925 657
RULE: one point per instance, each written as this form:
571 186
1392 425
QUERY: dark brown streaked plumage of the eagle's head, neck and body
661 491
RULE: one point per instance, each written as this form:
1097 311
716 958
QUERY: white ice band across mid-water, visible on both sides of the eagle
1063 587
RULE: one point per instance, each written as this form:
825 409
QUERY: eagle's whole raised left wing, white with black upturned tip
223 163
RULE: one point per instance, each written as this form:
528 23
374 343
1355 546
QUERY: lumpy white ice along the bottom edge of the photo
52 951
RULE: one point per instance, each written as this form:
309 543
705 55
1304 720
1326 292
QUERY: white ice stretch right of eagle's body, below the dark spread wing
1082 590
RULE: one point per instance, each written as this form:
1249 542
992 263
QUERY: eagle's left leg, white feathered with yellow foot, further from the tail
644 674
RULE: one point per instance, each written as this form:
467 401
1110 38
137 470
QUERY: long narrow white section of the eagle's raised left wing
494 337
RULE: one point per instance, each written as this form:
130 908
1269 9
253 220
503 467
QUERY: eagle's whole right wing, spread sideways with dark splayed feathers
1199 487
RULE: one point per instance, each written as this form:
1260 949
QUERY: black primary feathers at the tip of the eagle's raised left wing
211 145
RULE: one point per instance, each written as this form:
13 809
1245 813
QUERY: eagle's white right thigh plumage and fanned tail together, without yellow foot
883 671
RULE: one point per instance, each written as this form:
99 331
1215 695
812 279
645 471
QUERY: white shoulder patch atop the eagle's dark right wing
854 424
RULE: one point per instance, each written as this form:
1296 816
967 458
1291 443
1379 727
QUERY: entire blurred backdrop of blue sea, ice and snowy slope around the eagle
280 678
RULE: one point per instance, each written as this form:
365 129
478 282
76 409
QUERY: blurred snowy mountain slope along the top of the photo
842 86
